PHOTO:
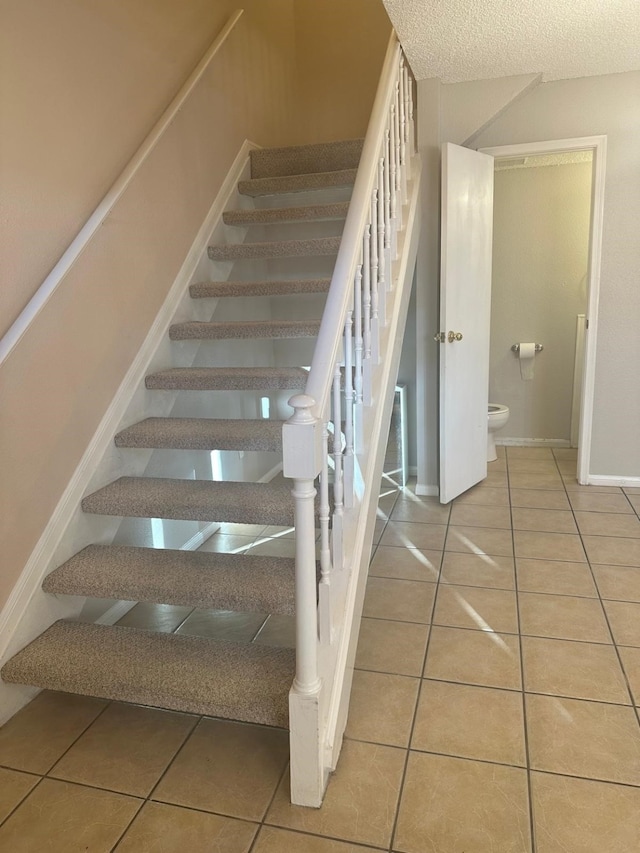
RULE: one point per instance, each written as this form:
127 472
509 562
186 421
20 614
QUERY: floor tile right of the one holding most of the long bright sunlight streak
563 617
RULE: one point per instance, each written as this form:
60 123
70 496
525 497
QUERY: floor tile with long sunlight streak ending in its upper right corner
474 657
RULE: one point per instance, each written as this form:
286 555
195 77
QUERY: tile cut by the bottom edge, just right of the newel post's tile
454 804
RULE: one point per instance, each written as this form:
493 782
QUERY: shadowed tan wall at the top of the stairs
340 49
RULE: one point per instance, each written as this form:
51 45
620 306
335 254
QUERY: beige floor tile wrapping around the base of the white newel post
360 801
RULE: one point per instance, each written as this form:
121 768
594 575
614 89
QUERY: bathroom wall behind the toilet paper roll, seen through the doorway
540 256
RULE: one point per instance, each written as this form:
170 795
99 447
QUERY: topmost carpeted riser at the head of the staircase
299 159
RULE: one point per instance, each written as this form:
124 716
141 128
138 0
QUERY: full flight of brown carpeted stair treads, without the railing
188 673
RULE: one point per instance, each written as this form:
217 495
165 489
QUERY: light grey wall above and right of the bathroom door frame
587 106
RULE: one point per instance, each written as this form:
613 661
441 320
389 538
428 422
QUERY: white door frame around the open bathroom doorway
598 146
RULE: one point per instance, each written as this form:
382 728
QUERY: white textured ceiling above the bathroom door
458 40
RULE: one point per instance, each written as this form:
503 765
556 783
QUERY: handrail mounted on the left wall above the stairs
75 249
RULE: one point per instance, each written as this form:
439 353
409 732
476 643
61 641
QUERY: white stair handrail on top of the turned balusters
329 340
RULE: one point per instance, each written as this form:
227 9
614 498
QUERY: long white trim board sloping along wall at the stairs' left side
36 567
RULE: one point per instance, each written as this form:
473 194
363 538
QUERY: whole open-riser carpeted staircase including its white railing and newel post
315 271
